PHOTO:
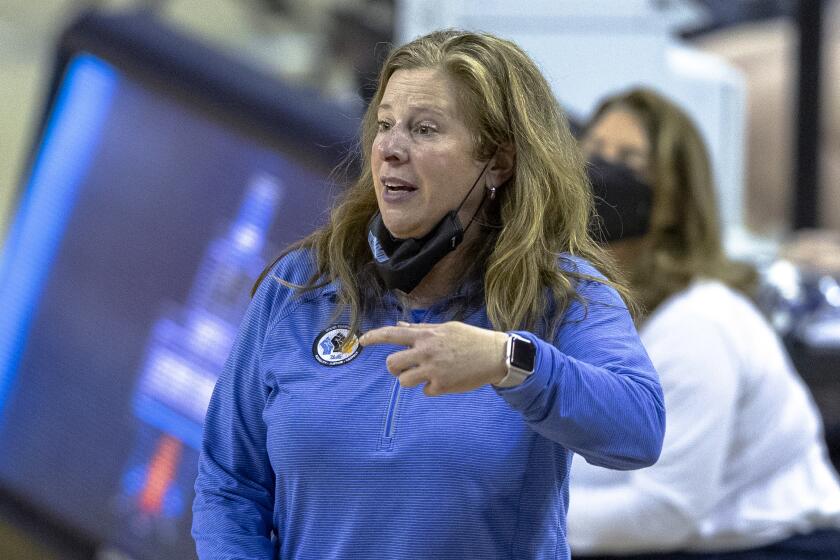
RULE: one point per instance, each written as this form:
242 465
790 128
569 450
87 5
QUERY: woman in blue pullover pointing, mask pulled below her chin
457 266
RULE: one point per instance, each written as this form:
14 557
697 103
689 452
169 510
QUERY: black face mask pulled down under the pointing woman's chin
403 263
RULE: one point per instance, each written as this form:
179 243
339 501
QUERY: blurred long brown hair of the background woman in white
684 240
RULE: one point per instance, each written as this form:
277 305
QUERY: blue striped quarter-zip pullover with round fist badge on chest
312 450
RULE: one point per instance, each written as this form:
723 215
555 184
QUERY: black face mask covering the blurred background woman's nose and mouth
623 201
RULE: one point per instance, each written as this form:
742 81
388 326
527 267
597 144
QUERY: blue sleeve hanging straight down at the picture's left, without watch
234 502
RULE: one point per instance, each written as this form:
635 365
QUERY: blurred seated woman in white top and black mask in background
744 472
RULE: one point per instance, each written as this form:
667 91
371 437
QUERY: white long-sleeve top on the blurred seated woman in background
744 460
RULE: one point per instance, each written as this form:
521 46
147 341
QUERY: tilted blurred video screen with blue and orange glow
142 227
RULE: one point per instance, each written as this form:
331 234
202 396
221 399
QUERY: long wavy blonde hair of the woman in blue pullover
542 211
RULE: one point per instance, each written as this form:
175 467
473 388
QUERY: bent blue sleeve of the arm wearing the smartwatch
594 390
